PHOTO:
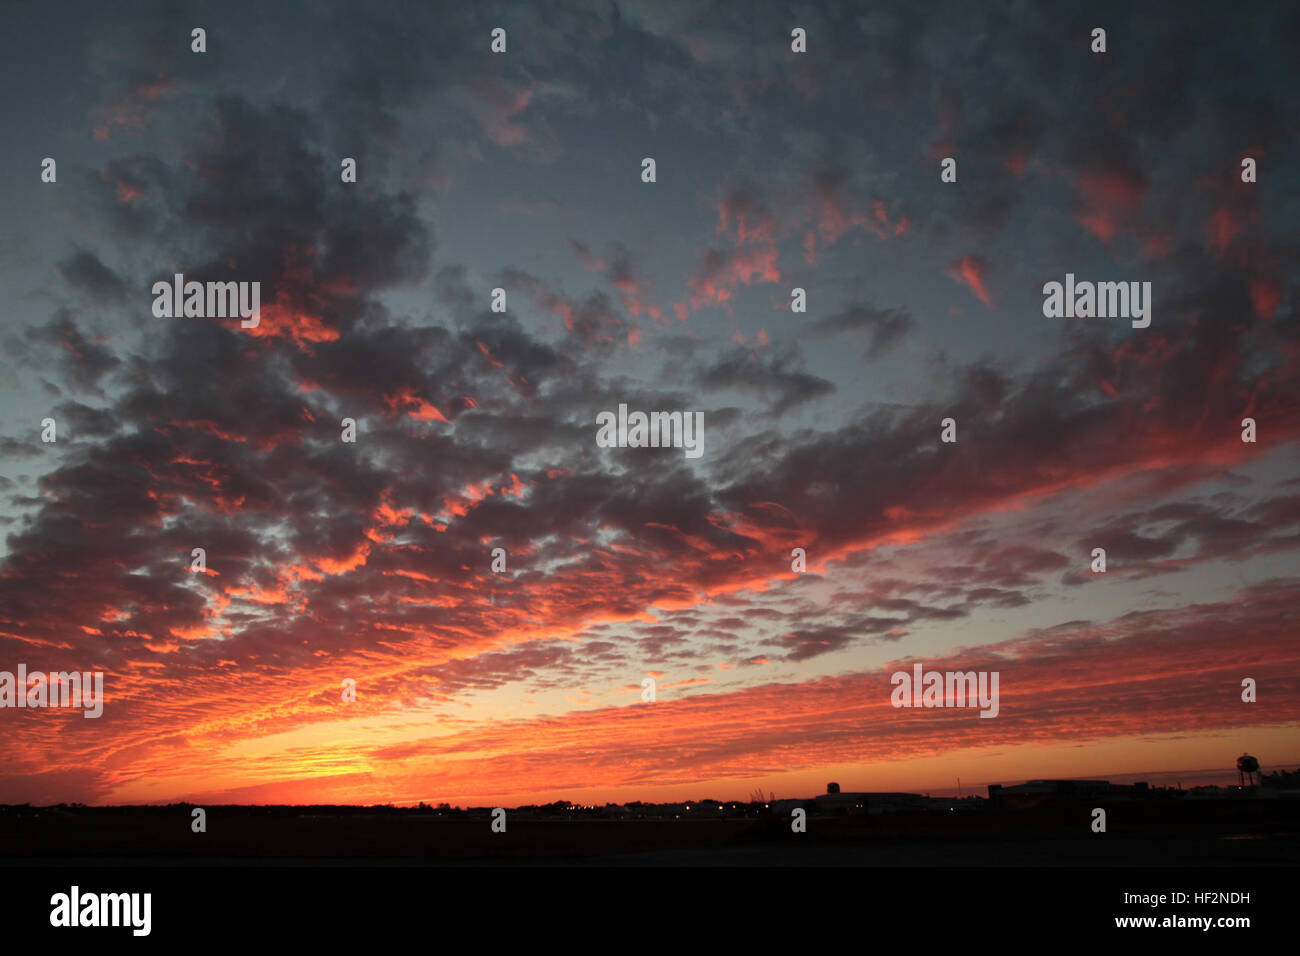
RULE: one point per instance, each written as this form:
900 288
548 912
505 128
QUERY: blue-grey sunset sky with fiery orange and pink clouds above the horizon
476 430
